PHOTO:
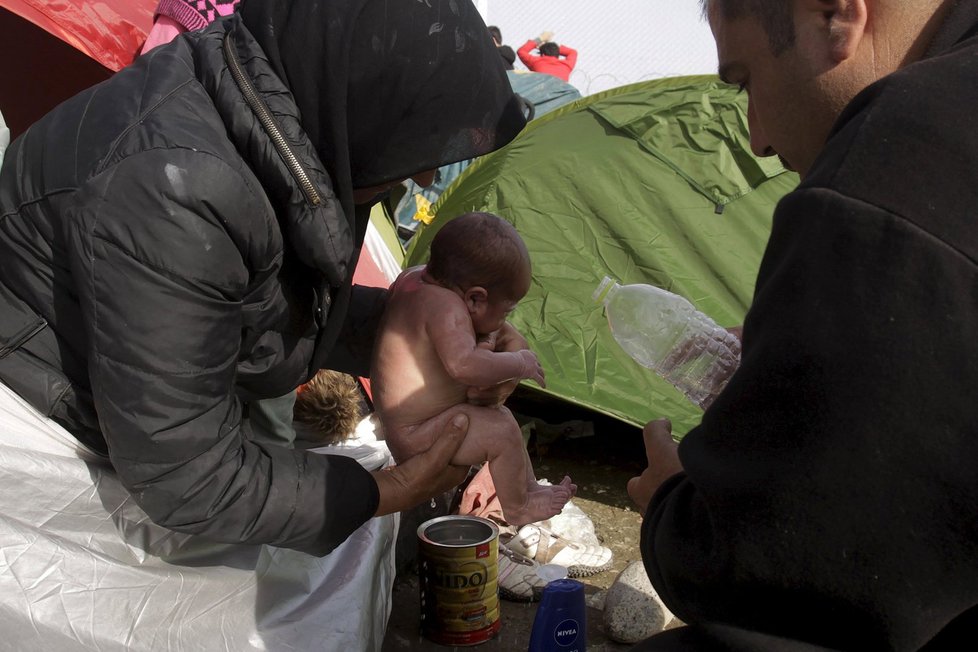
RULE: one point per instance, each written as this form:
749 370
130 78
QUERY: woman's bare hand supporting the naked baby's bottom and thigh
425 475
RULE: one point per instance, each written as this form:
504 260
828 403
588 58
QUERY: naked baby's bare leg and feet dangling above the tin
495 436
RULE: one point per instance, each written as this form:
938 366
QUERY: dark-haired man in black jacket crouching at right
827 500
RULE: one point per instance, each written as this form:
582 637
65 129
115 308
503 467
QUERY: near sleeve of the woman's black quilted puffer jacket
163 282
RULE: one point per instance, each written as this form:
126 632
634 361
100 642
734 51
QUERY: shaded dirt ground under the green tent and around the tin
600 465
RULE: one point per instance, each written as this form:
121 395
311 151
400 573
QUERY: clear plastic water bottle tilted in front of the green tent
664 332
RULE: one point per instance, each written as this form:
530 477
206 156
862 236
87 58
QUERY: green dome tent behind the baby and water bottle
649 183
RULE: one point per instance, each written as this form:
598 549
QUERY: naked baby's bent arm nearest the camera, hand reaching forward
469 364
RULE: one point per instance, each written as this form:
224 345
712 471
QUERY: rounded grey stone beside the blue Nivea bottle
633 610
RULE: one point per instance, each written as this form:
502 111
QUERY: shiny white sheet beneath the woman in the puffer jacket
83 568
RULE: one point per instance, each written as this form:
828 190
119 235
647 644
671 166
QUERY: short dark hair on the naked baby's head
478 249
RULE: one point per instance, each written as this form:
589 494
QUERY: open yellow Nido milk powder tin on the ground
458 567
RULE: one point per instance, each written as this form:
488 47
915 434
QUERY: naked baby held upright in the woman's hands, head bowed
434 342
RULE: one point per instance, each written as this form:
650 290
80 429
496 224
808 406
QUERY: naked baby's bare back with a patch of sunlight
408 379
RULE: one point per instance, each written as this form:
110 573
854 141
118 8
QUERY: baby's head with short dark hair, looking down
483 257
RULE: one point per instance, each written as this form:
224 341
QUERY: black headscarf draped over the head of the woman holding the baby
387 89
